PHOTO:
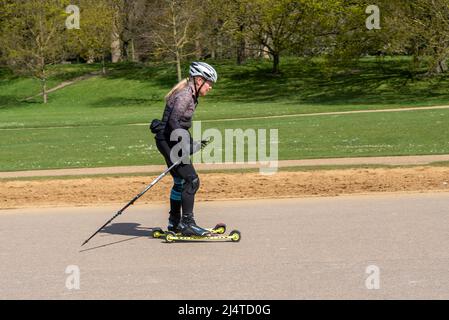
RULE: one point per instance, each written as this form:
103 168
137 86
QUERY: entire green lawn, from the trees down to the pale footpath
87 124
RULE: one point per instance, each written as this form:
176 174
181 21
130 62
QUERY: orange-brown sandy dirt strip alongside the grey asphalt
223 186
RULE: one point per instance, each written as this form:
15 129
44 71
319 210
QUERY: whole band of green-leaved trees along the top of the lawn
33 35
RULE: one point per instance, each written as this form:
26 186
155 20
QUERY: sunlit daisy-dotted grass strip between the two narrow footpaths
376 134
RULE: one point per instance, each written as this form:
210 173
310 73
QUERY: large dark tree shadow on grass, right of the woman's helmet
365 82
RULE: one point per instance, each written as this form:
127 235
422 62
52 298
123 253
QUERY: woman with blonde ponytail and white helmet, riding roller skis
181 103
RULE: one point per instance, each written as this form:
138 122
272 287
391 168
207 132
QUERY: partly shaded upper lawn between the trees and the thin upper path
134 93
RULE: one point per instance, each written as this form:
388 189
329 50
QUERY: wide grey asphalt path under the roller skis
392 246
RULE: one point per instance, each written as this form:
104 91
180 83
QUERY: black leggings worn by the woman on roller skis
185 173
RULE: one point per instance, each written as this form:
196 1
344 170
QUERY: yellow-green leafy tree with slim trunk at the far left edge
33 37
